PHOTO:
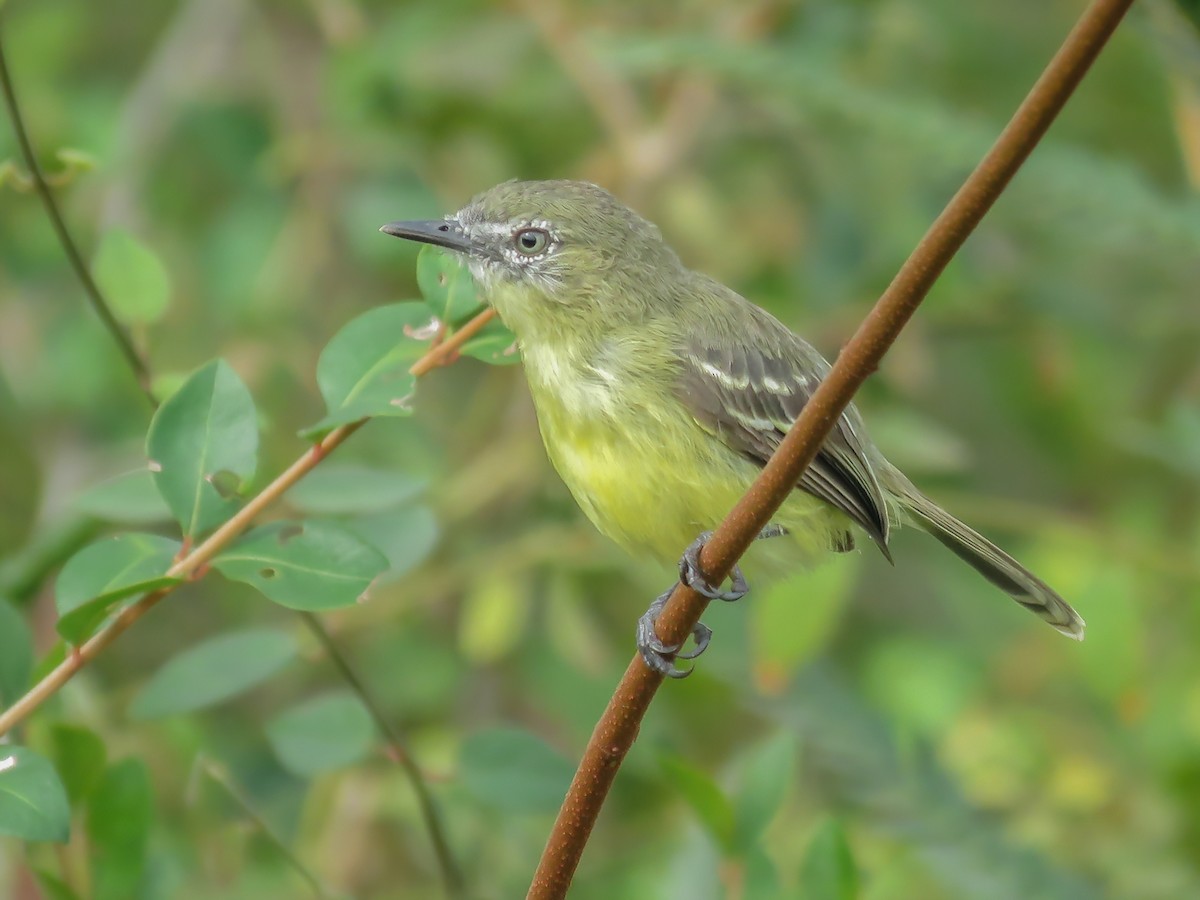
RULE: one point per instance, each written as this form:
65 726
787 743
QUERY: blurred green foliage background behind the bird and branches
908 724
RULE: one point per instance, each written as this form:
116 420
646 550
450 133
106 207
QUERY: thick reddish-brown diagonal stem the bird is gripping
619 727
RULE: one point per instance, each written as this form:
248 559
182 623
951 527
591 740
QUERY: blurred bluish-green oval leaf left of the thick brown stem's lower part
513 771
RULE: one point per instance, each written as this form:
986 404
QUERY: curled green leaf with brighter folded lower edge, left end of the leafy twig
105 573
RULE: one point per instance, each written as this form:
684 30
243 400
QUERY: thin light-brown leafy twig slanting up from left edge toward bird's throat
191 566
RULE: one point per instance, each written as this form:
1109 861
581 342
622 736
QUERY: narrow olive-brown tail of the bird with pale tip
988 560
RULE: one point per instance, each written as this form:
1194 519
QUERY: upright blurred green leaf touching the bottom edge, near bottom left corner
119 817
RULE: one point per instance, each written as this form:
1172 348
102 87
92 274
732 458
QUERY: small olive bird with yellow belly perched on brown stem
662 393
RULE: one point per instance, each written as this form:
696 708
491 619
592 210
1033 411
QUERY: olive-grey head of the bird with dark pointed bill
547 254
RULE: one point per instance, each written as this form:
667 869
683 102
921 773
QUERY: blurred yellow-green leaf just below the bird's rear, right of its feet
793 620
